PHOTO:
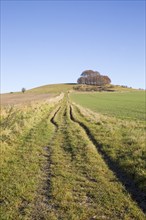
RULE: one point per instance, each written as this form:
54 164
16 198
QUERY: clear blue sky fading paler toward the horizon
46 42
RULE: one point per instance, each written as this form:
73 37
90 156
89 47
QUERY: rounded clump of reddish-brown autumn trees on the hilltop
90 77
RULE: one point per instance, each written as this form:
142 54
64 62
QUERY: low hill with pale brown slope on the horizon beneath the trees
52 90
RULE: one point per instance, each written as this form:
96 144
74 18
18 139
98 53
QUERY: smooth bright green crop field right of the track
127 105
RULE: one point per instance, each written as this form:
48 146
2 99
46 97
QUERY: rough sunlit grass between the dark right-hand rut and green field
123 141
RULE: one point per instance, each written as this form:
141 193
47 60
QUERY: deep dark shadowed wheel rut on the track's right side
136 194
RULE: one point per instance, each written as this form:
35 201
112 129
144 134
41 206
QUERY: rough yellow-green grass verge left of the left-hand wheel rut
25 133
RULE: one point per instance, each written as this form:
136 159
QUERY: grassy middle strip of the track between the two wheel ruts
78 176
